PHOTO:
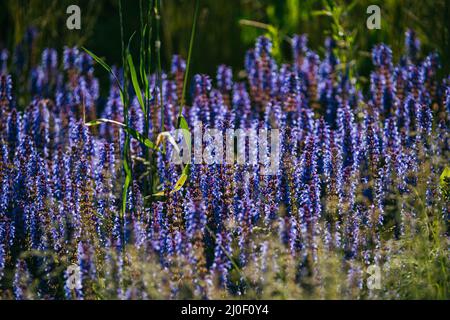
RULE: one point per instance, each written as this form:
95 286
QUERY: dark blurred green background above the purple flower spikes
227 28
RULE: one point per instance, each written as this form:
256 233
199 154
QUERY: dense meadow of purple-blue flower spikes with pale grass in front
362 181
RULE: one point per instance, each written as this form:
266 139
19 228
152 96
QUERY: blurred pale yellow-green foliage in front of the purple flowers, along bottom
412 267
